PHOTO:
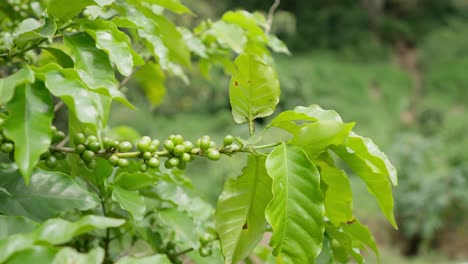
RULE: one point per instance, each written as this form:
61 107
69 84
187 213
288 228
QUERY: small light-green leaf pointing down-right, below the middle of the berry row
130 201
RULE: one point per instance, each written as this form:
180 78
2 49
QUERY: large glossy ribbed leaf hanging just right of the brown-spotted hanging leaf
296 211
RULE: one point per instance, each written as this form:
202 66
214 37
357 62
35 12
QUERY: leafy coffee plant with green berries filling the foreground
80 195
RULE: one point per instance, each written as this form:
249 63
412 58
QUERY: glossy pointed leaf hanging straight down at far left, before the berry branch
31 114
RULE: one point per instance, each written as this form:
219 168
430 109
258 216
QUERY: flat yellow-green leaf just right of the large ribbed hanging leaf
338 197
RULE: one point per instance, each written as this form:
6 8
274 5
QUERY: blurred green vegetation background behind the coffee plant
396 67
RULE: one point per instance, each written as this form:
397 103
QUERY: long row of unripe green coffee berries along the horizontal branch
177 151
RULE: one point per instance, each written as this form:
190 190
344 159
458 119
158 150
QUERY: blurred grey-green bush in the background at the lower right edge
443 184
